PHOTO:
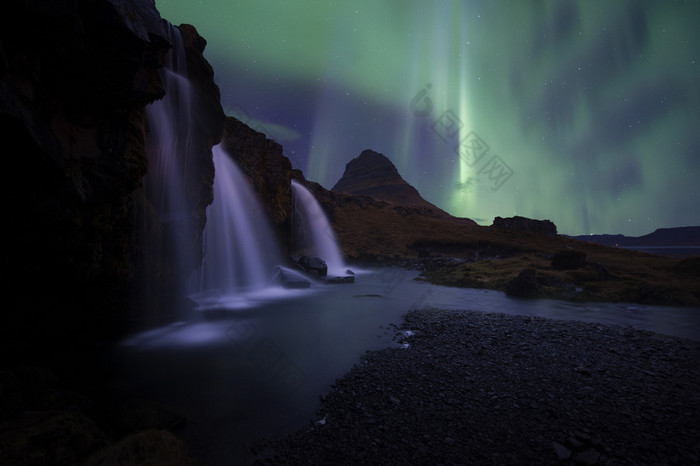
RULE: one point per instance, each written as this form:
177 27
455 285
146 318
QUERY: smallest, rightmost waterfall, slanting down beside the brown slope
312 222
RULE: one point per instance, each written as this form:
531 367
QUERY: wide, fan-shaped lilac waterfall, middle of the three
240 250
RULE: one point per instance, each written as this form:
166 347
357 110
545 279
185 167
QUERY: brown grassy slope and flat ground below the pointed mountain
384 233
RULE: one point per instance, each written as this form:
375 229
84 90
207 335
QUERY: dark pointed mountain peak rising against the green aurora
373 174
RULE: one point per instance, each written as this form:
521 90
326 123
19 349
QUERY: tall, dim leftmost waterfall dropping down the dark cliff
166 234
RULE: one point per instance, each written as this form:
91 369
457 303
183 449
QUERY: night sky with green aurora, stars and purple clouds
583 112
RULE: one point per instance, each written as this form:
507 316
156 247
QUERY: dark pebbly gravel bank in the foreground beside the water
475 388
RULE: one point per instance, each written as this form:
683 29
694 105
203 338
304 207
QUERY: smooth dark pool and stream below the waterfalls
258 371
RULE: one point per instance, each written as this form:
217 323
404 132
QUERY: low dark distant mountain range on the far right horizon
662 237
